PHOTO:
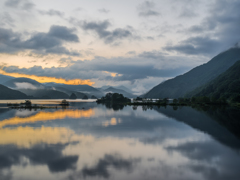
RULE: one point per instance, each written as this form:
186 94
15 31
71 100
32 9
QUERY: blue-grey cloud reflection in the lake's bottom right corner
211 159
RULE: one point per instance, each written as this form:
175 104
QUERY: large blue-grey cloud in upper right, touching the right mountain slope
217 32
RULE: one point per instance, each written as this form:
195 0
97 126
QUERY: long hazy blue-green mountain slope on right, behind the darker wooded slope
198 76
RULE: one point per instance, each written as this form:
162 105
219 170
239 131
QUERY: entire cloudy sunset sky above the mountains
133 43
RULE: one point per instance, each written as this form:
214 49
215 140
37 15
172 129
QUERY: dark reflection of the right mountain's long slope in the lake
203 122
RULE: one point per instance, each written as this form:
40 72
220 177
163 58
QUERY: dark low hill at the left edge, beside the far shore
7 93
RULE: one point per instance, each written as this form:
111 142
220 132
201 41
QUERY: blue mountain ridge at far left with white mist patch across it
23 83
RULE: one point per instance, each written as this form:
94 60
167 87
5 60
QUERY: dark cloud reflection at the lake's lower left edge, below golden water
42 154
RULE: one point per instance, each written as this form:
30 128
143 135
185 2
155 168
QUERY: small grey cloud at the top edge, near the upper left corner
22 4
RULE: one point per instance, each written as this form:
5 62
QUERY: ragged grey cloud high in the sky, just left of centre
109 36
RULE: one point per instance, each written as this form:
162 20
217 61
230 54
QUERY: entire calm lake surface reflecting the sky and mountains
90 141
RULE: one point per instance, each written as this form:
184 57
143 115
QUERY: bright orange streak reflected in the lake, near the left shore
48 116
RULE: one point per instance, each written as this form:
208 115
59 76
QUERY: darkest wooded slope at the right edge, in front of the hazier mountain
226 85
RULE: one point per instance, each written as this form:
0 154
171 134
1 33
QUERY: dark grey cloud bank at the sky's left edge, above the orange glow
41 43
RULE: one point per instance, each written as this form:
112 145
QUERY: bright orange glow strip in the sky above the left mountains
45 79
